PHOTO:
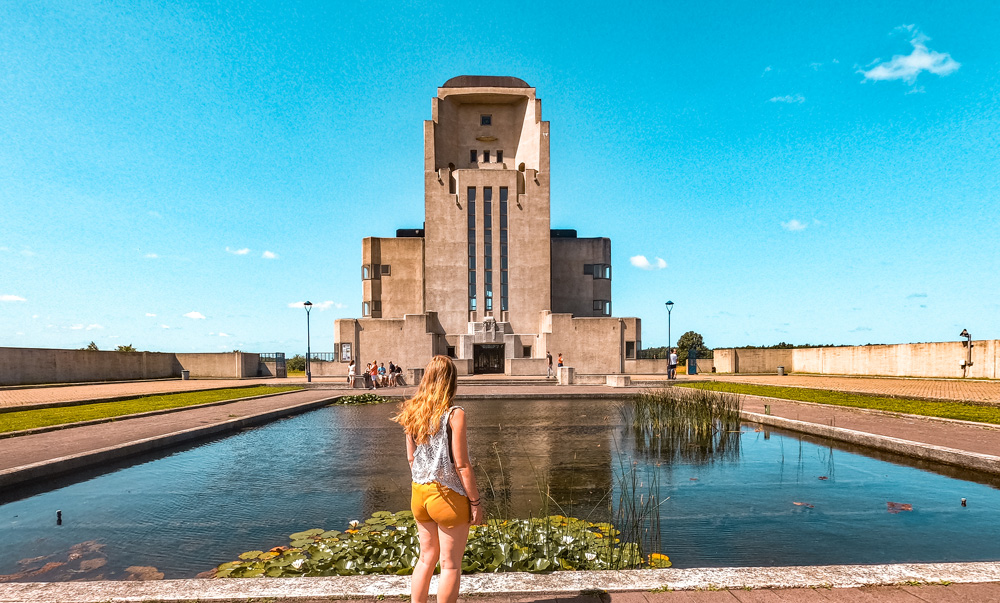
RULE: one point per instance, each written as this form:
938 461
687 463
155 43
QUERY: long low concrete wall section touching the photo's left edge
31 366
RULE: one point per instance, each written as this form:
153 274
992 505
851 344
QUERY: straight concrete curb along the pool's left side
52 467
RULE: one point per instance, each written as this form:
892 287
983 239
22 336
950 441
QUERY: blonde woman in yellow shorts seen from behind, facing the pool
445 499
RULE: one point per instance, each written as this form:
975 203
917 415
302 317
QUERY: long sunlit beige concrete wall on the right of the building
937 359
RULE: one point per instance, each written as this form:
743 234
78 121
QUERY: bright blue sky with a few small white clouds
175 175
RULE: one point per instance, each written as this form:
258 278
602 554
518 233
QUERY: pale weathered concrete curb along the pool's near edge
573 583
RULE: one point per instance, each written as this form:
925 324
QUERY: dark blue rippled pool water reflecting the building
186 512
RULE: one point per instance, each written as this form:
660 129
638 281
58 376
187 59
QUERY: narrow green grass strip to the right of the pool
945 410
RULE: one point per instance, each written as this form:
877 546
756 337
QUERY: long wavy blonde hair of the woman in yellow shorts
420 416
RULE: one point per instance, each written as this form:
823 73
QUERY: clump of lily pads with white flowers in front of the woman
387 543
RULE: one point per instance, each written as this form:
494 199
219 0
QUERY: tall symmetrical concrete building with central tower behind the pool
486 280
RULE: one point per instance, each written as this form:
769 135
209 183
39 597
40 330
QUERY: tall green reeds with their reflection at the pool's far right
697 426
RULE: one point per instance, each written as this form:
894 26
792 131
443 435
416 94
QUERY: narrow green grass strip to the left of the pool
46 417
